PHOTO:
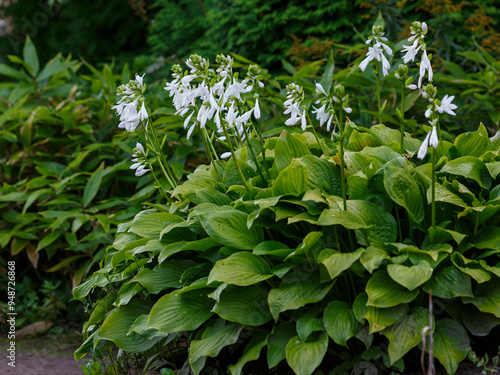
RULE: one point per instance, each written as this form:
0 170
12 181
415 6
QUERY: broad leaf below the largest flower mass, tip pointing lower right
229 227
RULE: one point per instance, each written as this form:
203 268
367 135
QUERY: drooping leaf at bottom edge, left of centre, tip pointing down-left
213 340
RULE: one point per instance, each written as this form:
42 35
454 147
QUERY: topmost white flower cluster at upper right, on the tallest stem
418 31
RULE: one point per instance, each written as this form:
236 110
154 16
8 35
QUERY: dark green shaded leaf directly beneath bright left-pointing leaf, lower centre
245 305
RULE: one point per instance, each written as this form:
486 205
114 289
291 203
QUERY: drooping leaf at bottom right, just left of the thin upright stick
407 333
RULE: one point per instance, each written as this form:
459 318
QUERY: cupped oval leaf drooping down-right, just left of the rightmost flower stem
403 189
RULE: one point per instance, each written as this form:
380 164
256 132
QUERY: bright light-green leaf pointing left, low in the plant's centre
241 268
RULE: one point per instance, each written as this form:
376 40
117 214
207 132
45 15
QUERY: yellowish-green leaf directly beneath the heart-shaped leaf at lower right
384 292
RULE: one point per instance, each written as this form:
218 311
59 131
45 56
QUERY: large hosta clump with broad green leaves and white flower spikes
301 251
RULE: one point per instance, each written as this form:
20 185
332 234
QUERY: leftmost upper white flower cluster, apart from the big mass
131 107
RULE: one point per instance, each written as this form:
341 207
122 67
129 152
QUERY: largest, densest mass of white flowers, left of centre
207 94
